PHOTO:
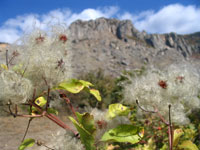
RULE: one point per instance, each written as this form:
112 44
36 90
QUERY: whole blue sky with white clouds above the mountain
17 17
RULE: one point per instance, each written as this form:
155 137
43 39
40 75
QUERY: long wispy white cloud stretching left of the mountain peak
12 29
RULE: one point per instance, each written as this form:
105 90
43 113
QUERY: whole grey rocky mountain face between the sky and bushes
115 45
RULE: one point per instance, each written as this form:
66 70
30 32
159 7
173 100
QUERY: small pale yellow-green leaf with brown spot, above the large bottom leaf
117 110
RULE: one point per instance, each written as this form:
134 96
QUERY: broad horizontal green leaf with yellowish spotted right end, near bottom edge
123 133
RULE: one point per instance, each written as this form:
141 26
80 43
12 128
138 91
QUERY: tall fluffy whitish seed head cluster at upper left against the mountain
45 58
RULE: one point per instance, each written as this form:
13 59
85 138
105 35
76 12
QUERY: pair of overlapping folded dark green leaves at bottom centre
86 129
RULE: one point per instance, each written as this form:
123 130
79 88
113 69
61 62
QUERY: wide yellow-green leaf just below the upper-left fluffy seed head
73 86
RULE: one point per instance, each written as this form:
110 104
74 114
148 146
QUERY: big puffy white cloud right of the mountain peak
172 18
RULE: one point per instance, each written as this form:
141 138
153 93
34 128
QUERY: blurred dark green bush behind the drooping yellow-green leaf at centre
109 87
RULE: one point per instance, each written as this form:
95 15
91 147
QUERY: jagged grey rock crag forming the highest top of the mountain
102 27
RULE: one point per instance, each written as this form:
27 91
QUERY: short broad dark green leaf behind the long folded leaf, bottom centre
87 121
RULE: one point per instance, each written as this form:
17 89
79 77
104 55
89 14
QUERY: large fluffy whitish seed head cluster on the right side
178 85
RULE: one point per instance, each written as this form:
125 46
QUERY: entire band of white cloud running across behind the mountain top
172 18
